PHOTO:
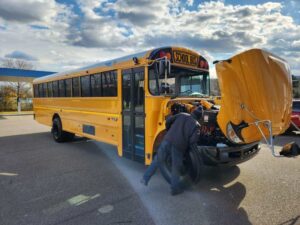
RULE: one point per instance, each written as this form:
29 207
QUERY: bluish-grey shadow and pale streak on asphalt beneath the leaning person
215 199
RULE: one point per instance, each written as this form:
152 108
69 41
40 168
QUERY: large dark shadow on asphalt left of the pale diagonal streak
44 182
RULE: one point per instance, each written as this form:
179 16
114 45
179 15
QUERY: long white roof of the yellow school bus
145 54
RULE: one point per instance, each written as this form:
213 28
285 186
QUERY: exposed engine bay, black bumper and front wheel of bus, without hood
214 149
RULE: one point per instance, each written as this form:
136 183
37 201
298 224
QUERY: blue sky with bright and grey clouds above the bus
59 35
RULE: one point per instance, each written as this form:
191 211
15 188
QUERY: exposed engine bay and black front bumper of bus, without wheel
212 141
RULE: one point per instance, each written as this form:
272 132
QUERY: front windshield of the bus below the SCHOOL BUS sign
180 82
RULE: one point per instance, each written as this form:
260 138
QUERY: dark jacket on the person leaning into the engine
182 131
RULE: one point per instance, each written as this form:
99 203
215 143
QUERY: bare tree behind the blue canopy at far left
22 89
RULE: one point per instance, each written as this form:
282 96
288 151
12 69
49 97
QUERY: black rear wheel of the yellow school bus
59 135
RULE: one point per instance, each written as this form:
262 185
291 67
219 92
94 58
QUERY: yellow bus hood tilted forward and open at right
255 85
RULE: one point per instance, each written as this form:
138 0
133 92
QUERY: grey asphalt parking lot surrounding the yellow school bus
85 182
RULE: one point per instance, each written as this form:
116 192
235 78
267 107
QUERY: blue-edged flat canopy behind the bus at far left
18 75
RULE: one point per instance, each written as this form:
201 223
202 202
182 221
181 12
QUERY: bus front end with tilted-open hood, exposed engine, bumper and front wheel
255 105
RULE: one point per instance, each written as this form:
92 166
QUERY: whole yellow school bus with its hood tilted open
124 101
